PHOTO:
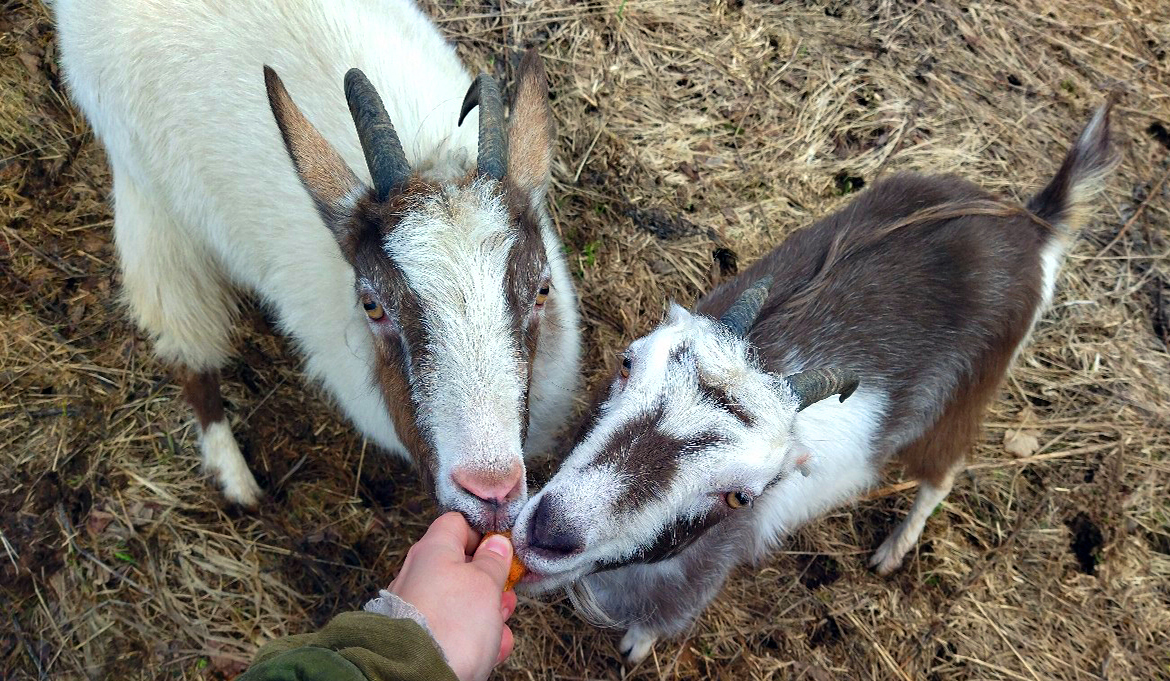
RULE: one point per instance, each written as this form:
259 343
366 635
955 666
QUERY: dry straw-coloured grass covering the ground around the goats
686 130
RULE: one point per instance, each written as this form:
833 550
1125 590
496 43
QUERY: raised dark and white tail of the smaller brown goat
1066 202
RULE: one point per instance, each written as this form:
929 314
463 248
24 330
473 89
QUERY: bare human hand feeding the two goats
459 589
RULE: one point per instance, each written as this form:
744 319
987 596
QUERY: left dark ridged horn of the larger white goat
384 154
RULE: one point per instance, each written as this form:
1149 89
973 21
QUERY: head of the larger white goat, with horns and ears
453 279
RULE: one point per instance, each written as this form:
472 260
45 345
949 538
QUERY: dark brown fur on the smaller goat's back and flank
877 286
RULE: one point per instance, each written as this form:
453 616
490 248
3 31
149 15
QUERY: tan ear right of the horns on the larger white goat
531 129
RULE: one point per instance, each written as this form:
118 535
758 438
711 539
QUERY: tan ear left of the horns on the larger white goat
331 182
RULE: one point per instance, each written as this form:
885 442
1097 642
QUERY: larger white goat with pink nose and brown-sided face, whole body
414 262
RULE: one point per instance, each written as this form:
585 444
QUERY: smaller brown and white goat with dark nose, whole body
914 299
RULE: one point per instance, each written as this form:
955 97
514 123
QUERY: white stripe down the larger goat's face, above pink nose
453 251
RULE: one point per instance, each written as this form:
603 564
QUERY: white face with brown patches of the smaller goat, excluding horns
691 434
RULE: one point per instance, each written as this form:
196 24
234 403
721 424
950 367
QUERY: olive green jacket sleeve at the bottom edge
354 646
